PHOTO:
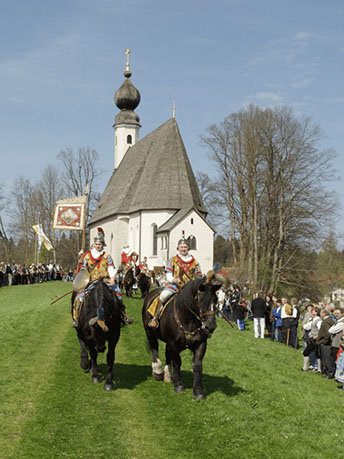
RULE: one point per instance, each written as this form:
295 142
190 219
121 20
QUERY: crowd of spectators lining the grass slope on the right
320 328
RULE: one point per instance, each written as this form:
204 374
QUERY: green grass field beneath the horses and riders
259 404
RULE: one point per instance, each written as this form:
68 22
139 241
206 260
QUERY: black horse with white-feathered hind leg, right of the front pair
187 322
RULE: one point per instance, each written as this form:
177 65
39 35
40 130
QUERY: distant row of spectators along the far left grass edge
23 274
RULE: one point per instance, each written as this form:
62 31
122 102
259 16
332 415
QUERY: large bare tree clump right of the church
271 180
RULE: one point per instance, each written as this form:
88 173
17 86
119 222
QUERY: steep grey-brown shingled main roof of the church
154 174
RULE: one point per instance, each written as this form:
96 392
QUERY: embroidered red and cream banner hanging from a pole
70 214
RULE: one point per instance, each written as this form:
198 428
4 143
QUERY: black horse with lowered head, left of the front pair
93 334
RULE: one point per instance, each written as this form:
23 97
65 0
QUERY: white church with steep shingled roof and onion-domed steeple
152 196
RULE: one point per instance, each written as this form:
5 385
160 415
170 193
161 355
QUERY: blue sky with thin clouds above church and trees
62 61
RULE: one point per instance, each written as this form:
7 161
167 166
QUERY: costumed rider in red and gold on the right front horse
181 269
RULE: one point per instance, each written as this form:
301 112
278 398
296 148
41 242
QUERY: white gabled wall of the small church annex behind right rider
194 225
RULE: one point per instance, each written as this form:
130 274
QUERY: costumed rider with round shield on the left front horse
99 264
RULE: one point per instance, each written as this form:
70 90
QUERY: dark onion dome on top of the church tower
127 98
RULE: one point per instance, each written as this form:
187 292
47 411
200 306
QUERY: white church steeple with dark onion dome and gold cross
127 122
